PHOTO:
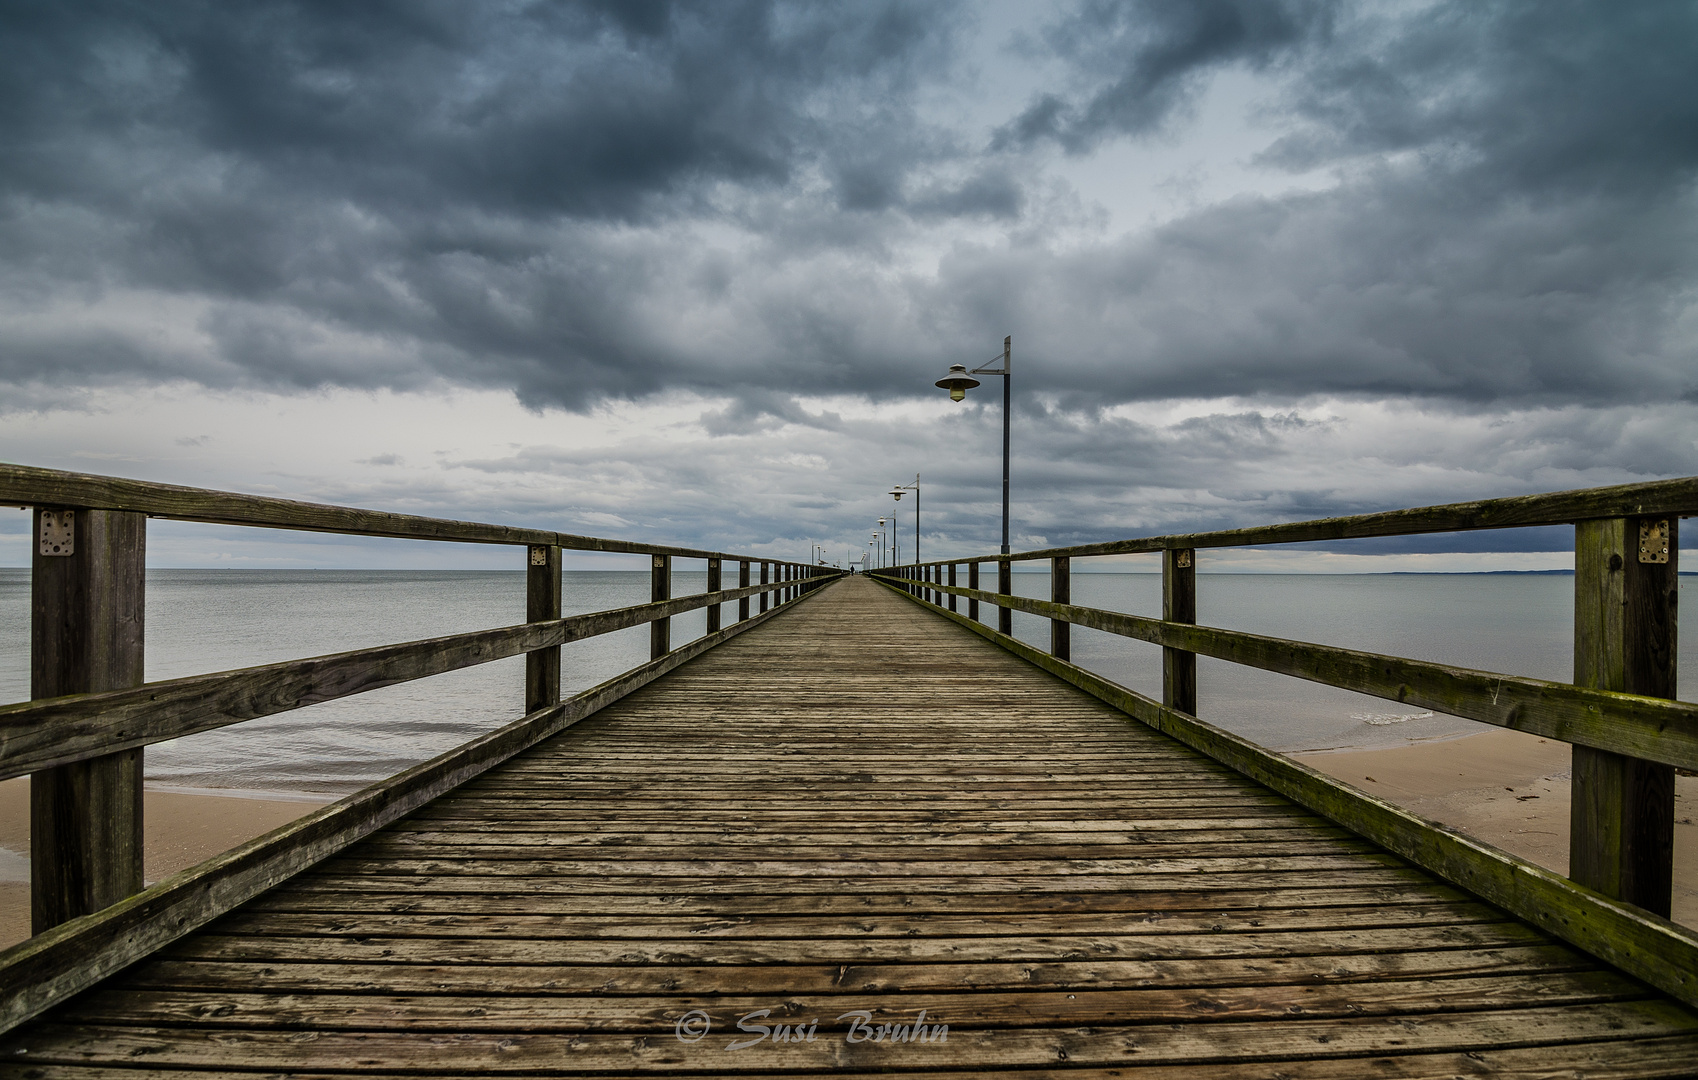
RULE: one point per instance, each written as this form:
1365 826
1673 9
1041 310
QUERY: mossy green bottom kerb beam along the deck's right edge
1643 945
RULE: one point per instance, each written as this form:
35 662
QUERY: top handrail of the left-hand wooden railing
33 487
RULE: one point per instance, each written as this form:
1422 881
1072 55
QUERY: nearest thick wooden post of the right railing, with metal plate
1622 818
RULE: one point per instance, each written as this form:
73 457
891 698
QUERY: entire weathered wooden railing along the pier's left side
82 734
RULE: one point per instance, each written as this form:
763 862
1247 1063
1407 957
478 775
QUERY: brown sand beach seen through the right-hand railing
1507 789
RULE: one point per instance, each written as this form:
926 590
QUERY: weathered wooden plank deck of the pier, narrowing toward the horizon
862 809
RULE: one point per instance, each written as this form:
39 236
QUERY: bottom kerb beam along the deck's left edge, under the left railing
77 955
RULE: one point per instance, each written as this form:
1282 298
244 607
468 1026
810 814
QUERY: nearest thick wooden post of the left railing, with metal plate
87 590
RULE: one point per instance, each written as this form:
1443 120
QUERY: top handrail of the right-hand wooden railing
1655 498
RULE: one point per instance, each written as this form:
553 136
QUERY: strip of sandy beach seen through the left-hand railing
179 830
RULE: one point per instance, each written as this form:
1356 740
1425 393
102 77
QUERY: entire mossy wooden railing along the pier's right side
1628 733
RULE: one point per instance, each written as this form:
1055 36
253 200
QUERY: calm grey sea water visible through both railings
215 621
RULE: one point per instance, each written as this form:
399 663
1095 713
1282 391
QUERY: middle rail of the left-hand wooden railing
59 731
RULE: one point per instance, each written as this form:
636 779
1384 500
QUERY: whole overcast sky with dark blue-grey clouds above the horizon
687 273
